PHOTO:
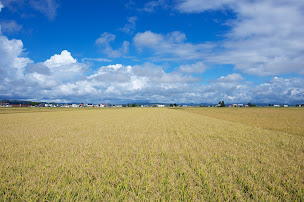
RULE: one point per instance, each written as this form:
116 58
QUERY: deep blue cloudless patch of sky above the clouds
78 24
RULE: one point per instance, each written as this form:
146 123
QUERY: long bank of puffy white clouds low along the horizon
62 78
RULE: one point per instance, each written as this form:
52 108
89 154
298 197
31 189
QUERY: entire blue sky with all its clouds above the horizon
183 51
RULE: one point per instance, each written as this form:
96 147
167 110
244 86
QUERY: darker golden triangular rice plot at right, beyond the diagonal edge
289 120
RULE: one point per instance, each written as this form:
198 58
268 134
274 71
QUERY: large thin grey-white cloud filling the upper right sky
266 38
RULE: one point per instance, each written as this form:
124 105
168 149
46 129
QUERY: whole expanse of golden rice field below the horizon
152 154
